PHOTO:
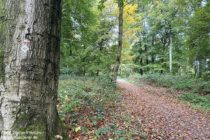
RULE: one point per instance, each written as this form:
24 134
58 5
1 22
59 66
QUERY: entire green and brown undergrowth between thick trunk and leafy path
91 109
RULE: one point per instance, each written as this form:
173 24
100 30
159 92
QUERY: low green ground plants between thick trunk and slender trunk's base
82 92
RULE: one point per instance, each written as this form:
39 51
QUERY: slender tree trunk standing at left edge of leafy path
120 42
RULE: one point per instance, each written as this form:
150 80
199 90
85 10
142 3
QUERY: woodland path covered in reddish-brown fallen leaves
162 116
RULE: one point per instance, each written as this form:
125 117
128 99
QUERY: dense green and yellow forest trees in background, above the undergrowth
159 37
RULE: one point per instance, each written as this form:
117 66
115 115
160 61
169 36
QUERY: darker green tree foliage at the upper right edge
199 37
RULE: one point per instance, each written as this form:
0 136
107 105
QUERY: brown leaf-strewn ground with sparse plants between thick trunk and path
113 124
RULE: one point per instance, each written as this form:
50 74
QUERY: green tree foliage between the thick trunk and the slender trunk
85 48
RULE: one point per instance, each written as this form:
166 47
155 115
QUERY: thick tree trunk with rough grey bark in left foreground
28 99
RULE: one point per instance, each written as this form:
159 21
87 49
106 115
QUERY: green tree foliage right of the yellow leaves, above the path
186 23
